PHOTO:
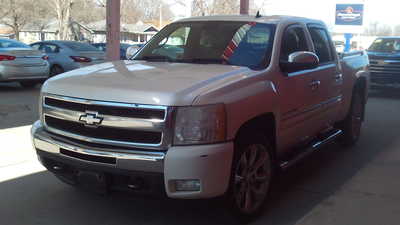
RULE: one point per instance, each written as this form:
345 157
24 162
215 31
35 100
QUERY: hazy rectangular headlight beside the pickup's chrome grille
200 124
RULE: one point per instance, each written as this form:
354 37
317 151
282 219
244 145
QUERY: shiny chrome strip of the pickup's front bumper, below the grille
134 160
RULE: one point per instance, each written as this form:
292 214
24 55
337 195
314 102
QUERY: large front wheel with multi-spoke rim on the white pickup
251 177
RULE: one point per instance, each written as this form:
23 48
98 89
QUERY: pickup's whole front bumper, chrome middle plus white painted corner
209 164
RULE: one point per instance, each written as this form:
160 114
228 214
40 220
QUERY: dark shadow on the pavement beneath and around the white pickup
42 199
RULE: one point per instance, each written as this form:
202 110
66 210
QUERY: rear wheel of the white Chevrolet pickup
351 126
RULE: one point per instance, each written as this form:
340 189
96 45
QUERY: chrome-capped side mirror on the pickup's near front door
299 61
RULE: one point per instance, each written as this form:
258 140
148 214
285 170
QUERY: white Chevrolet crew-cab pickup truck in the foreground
210 107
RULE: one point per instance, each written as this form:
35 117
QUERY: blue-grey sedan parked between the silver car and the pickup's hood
69 55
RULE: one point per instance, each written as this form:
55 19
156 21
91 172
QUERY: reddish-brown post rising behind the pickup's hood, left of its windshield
113 29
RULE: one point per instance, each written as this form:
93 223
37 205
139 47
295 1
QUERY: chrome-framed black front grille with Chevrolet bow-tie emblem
108 123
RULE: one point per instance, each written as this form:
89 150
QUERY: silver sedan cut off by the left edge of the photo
19 62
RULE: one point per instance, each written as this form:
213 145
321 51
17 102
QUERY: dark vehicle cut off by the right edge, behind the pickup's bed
384 55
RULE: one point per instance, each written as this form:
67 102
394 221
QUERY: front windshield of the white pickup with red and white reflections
232 43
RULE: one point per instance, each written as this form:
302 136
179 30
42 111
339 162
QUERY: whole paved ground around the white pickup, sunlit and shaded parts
336 186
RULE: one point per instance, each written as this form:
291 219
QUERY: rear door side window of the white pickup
320 39
